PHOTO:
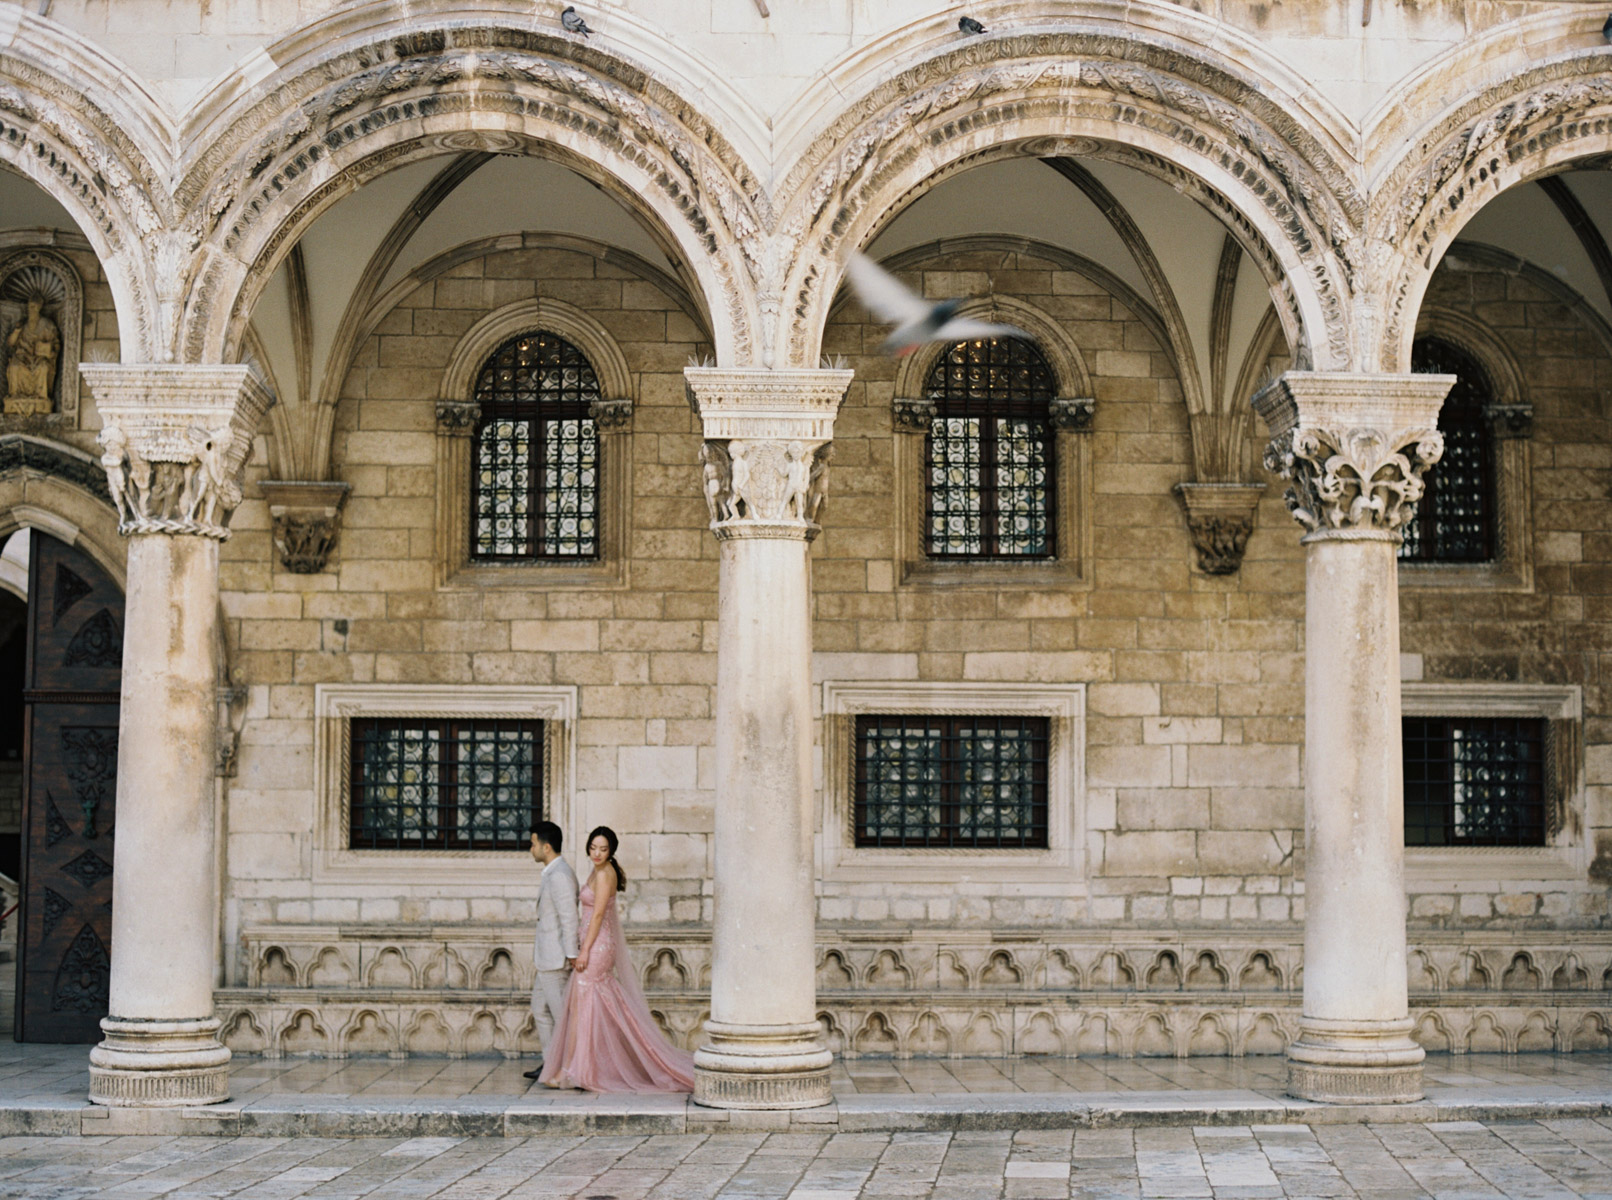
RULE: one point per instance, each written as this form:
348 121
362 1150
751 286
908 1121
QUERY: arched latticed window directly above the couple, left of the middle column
536 459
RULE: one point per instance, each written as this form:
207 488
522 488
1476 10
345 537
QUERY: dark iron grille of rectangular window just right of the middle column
952 781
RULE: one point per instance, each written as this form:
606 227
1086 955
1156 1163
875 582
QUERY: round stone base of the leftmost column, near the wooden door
159 1065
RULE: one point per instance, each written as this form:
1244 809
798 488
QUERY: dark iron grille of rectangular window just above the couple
444 785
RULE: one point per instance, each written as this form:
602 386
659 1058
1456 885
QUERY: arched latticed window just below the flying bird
989 478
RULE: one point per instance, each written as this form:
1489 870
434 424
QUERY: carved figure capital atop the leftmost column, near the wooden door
177 441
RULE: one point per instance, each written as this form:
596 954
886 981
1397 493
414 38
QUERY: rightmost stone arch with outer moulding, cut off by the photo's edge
1552 114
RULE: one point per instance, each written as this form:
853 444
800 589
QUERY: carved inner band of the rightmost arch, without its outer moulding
1547 120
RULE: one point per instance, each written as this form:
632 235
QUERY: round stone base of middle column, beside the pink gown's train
763 1067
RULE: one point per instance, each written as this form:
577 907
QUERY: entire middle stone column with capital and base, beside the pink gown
767 460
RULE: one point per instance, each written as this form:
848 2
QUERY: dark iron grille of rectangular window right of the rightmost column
1477 781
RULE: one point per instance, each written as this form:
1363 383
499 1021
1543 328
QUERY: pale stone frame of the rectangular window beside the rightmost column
1566 851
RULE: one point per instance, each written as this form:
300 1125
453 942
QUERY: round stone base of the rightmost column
1355 1064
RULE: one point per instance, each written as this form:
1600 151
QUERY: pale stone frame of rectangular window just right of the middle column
1058 870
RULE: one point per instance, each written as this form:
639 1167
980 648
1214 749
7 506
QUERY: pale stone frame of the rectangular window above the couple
336 706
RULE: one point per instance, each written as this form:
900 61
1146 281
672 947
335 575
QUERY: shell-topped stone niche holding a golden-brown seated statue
41 336
